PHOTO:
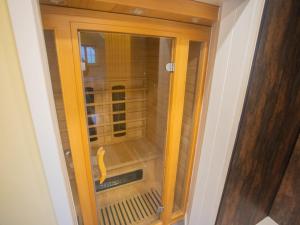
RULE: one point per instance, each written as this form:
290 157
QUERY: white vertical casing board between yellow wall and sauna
28 34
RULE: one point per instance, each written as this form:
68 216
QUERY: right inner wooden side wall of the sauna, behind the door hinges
158 55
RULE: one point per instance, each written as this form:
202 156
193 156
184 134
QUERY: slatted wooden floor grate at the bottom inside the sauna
141 208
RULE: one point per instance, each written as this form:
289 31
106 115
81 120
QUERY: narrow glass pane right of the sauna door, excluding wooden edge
188 124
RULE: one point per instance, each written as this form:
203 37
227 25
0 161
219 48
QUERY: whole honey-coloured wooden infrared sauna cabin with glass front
128 85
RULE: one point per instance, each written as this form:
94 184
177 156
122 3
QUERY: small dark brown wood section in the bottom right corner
286 207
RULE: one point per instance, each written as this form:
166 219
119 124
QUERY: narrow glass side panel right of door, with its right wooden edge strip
194 85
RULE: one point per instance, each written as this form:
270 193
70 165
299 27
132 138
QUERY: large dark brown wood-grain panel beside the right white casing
270 120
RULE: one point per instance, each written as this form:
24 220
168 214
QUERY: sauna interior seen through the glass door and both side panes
126 88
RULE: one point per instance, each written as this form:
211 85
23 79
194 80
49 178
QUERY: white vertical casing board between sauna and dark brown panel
238 30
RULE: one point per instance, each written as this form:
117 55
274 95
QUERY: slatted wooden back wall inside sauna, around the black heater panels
116 64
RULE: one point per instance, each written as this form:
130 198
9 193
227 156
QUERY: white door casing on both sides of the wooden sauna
238 28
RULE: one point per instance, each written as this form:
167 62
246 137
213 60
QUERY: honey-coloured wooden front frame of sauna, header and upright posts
66 23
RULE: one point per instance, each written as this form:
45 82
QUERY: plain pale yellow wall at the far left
24 194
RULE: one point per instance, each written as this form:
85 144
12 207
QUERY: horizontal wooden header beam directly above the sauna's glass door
125 23
